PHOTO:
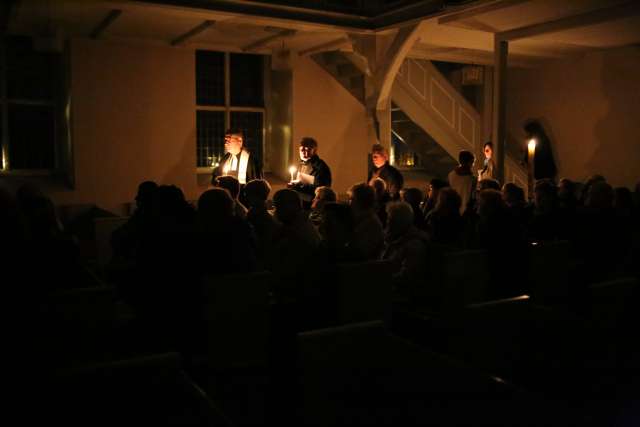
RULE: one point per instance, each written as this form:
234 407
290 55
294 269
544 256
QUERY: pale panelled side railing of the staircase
433 103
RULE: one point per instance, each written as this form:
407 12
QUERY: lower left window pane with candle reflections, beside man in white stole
210 143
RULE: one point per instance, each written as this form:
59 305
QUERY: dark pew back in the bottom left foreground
148 390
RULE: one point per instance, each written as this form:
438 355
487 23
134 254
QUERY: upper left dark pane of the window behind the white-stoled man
209 78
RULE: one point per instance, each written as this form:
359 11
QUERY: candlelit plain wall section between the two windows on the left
133 119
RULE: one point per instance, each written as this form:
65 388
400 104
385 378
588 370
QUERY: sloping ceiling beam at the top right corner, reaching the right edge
594 17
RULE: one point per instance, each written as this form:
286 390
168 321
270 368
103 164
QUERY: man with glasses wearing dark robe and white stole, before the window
237 161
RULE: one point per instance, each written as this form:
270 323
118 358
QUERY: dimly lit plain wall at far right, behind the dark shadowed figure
590 105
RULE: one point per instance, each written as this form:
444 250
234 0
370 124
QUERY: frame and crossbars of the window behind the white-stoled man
228 109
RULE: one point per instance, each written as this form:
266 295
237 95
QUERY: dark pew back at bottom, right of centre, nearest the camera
359 374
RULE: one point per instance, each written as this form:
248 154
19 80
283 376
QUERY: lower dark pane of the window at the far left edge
31 137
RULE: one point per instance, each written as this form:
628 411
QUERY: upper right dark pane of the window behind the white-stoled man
246 80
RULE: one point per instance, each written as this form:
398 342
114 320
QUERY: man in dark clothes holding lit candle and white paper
313 172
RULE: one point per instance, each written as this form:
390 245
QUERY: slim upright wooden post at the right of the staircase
501 52
